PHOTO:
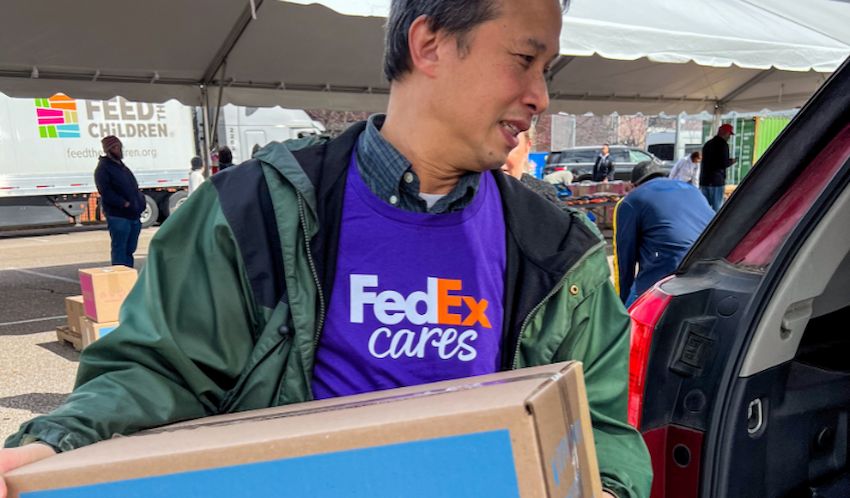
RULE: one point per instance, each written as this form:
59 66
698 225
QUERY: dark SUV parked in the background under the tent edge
580 160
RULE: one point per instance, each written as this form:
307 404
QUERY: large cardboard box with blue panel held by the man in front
524 433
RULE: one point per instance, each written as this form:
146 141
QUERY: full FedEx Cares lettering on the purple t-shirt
439 319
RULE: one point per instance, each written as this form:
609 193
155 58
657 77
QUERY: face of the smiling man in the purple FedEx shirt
486 94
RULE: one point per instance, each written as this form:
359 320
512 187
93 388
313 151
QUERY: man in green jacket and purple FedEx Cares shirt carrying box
296 253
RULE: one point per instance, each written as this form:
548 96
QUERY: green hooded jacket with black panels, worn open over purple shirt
227 312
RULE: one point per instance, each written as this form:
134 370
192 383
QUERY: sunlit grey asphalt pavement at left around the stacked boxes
37 273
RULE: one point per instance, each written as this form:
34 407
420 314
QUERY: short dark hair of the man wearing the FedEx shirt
456 17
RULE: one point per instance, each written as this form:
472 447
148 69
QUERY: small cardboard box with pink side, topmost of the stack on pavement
104 289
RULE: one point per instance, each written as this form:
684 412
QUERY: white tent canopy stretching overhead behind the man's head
647 56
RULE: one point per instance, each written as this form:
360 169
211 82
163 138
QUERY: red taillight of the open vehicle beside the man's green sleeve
645 314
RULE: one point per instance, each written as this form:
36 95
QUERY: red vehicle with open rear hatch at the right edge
739 369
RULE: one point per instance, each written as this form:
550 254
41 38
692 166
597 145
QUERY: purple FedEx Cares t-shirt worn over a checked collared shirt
417 297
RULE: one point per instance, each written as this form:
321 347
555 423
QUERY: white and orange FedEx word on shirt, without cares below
440 303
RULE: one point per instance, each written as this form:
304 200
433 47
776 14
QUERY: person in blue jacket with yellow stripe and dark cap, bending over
654 227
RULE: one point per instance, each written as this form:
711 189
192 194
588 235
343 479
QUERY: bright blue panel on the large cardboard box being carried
460 466
